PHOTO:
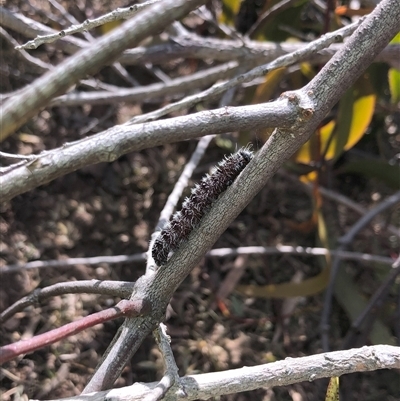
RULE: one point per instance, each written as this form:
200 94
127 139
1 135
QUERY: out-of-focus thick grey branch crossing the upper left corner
17 110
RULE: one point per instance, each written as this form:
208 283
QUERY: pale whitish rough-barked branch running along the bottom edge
281 373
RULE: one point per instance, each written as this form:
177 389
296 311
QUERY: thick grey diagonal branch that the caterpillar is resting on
310 105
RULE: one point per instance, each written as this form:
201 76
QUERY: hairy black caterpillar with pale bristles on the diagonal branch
198 203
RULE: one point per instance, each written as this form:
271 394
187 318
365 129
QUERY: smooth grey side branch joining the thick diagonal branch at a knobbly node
116 141
